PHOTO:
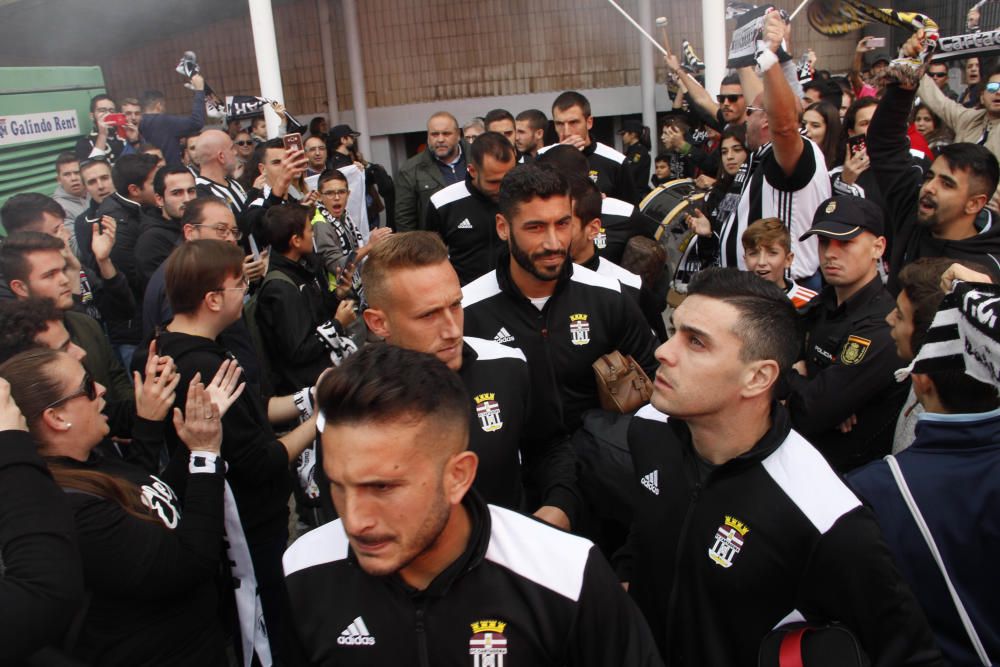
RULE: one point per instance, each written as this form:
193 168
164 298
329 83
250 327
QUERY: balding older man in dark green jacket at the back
440 164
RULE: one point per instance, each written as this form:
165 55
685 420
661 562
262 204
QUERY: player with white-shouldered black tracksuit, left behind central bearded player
465 213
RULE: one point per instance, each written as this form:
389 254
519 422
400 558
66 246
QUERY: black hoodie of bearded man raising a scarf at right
900 181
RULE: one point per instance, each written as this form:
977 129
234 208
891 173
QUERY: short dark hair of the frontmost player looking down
384 383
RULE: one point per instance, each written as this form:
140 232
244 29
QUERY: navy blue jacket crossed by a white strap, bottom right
953 472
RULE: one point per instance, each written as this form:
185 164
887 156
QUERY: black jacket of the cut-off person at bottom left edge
42 583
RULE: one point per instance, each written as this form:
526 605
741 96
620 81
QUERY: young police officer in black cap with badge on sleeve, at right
844 397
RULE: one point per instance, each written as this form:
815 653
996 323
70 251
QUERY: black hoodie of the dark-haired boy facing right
296 324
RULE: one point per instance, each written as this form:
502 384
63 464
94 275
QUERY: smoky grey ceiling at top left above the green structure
82 32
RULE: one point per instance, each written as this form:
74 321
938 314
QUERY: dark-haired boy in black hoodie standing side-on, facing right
301 322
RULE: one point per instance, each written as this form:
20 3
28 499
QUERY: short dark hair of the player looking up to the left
767 320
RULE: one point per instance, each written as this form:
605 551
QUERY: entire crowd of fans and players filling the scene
199 325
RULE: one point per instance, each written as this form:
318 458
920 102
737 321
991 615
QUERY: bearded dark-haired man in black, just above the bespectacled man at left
174 188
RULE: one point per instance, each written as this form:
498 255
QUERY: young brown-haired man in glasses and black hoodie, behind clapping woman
206 286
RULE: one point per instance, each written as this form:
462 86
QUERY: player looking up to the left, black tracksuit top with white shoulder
741 526
